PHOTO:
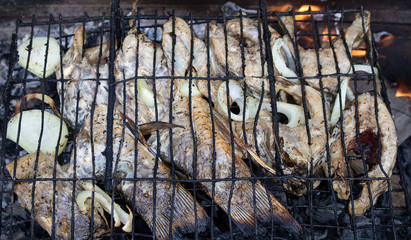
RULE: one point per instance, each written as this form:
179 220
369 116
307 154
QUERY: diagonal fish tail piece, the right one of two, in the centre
240 205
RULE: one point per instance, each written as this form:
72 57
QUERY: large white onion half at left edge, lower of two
31 127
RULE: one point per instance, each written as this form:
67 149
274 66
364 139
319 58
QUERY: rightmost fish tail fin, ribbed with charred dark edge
268 207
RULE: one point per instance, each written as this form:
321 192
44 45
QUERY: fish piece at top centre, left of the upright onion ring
228 42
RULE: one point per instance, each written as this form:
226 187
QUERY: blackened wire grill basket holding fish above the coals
319 212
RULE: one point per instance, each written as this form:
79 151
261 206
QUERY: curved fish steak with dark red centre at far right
377 161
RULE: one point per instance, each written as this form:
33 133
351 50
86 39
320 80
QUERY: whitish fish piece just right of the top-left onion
84 77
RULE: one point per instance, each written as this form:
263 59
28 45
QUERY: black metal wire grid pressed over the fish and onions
383 216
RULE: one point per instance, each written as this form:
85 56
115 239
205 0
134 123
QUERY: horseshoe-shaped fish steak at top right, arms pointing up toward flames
353 36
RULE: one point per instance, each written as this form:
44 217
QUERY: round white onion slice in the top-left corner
38 55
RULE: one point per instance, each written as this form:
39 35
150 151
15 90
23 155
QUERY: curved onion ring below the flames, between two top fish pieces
280 63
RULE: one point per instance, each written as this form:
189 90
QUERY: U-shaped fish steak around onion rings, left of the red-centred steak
296 150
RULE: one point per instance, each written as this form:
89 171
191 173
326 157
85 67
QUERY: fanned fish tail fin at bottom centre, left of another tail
185 220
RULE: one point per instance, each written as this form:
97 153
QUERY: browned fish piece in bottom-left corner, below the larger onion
43 200
